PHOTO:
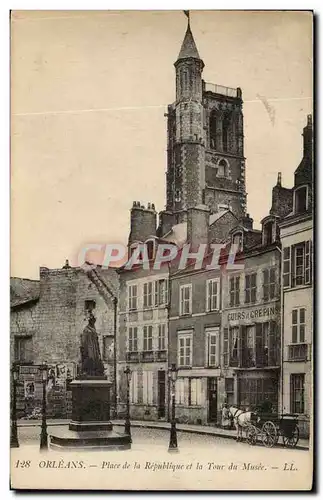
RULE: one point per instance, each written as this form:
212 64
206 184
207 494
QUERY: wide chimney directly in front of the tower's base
198 226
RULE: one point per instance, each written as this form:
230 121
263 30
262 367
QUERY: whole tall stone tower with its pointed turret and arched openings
205 153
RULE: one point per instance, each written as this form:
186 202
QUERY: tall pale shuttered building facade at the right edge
297 292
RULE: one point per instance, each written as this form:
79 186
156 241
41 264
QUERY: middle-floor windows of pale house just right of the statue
147 341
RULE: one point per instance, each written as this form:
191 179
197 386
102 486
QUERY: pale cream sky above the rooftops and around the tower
89 90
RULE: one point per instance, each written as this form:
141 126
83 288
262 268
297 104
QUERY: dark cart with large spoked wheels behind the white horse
271 427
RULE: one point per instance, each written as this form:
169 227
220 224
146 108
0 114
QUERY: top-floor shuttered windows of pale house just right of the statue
155 294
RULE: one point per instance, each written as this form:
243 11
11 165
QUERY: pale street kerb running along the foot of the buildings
152 425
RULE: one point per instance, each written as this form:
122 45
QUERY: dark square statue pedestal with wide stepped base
90 427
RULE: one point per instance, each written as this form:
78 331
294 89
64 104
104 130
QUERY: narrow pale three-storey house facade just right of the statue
143 343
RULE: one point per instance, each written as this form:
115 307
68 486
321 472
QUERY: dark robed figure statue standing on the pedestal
91 363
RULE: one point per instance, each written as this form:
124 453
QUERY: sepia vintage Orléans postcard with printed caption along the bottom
161 327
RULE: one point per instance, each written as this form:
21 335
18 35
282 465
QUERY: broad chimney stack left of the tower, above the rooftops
142 222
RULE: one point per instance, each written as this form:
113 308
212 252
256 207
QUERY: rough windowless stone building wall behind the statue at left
47 319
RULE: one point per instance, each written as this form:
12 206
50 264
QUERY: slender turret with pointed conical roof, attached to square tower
186 137
